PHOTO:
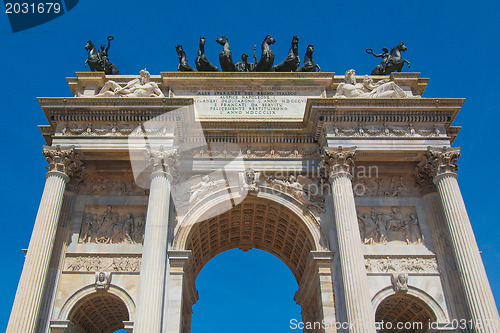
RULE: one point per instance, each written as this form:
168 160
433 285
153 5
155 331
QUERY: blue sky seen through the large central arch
245 292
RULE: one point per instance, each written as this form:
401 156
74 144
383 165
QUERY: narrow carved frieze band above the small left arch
100 263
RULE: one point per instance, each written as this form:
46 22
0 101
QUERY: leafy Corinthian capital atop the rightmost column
439 162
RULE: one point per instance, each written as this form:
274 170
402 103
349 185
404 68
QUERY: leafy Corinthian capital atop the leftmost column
63 161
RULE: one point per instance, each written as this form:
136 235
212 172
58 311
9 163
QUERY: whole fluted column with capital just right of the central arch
357 306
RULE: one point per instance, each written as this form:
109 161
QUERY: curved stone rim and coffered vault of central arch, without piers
271 221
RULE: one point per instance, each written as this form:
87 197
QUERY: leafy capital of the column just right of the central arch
338 161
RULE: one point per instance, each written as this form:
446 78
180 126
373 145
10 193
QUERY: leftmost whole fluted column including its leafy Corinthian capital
27 307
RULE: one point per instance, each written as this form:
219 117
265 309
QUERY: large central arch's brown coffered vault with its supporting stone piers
267 225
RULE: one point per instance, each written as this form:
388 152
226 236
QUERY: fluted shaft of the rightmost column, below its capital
480 301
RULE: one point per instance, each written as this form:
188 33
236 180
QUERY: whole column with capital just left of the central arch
154 254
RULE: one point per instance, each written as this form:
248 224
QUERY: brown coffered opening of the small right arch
404 308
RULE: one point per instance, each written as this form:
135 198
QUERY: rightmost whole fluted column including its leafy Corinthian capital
440 163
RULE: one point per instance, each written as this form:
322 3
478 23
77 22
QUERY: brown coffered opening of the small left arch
99 312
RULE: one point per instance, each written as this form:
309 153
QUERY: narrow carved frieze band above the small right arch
412 265
